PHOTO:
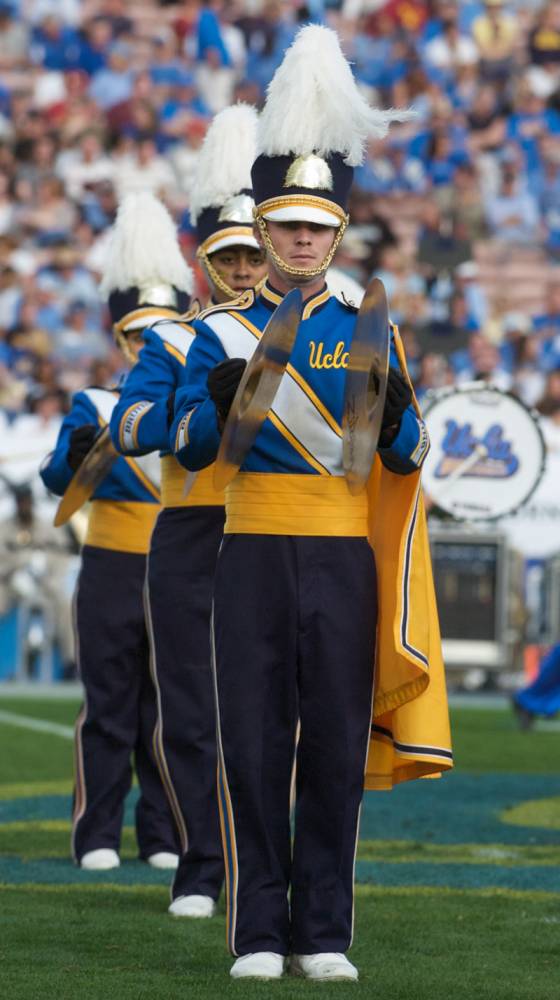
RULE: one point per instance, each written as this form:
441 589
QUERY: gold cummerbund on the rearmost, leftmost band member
121 526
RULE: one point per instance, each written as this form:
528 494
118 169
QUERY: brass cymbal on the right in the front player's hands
366 386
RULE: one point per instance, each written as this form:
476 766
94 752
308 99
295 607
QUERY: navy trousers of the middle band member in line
180 580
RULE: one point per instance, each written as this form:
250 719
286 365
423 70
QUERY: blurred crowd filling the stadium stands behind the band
458 211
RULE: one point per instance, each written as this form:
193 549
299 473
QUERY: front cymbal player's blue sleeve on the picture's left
194 437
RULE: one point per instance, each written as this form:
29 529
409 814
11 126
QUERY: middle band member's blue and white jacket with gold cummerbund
139 423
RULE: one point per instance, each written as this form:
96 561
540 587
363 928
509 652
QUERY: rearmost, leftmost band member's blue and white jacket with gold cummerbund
125 504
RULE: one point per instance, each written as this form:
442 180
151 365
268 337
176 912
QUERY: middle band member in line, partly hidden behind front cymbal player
189 529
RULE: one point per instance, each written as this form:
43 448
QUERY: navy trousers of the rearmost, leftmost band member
119 713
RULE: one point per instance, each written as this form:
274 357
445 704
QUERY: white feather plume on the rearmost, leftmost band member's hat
143 248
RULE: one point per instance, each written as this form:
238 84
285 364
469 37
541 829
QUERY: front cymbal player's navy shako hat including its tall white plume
312 132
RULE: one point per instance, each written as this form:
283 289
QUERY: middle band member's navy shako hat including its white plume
222 199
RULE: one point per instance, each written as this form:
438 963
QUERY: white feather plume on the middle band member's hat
224 164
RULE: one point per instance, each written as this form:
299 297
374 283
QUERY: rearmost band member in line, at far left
118 716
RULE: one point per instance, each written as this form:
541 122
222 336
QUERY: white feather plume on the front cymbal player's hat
314 106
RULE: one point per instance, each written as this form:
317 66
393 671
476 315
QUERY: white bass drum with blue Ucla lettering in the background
487 452
